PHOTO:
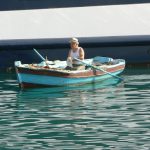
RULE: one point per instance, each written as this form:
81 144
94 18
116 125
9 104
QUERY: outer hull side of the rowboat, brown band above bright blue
29 77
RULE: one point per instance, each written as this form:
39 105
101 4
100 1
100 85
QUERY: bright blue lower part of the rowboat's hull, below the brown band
36 81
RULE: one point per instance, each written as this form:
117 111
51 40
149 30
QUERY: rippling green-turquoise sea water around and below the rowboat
106 115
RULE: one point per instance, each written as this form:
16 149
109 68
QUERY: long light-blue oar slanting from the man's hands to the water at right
98 68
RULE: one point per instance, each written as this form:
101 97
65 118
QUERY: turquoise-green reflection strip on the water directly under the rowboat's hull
67 91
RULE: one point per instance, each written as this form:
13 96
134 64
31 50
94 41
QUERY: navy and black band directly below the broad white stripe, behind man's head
89 42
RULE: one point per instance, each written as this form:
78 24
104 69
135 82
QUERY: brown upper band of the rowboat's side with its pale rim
69 73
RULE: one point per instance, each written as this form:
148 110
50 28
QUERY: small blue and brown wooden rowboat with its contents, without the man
49 73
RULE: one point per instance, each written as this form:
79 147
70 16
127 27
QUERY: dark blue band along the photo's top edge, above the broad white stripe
41 4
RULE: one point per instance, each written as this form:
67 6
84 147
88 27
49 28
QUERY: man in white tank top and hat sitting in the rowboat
75 52
